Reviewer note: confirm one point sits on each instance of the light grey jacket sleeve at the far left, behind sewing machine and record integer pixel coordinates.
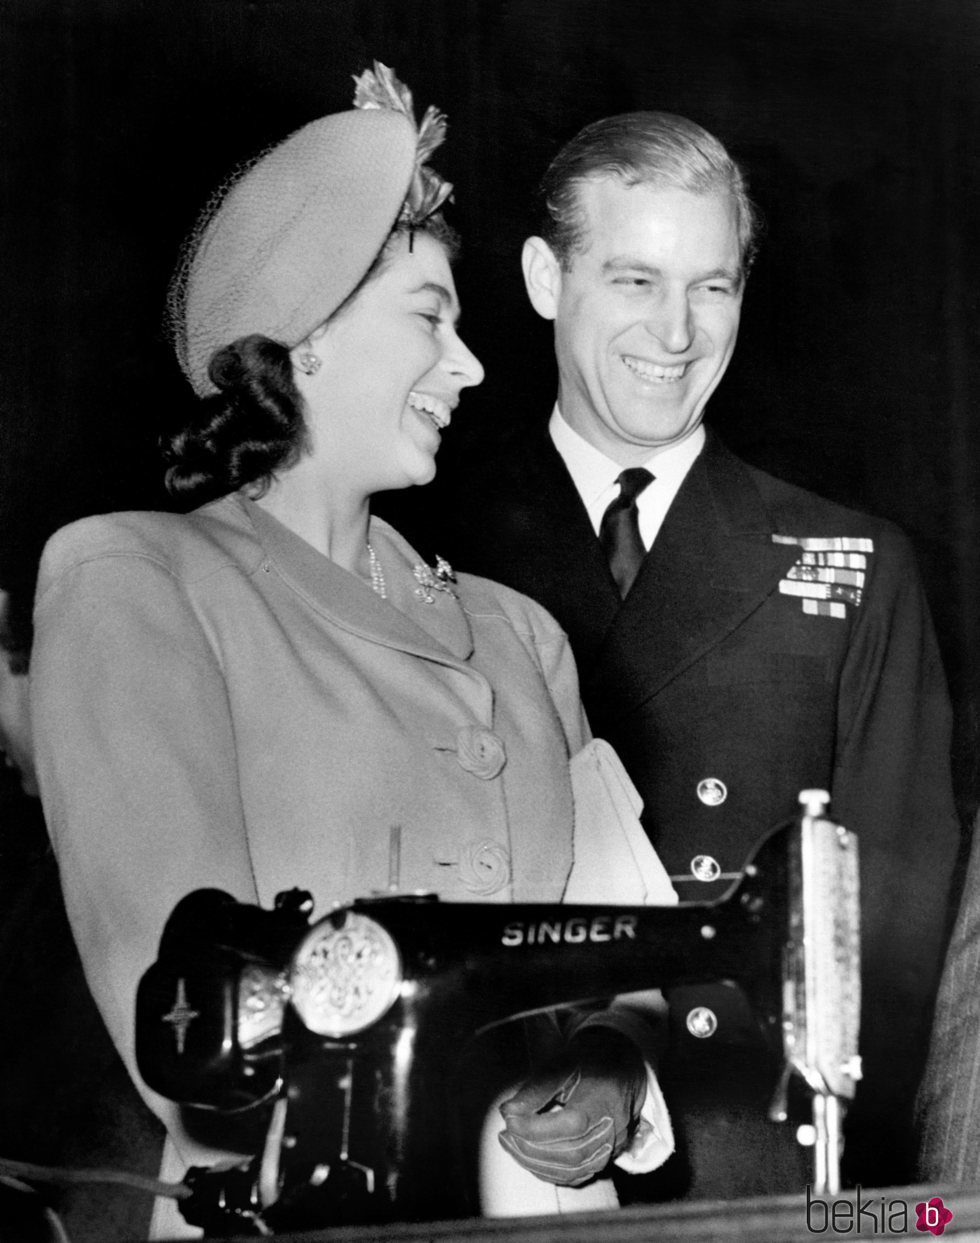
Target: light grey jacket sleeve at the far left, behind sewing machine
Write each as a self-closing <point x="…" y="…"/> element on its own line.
<point x="136" y="764"/>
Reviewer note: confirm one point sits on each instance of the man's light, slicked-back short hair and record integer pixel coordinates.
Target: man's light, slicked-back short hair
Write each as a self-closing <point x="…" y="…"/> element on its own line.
<point x="641" y="149"/>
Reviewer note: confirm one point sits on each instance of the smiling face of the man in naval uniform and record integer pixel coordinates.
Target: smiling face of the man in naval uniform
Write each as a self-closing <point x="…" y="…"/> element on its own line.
<point x="646" y="318"/>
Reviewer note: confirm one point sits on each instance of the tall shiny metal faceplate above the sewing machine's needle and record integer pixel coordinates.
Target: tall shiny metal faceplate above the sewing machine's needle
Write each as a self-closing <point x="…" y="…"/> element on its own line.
<point x="823" y="974"/>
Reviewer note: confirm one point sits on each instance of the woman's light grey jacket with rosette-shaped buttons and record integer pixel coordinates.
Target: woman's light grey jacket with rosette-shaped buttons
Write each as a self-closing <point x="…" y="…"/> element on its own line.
<point x="220" y="705"/>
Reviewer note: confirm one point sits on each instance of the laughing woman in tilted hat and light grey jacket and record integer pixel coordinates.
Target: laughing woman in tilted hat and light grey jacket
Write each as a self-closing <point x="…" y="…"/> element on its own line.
<point x="269" y="690"/>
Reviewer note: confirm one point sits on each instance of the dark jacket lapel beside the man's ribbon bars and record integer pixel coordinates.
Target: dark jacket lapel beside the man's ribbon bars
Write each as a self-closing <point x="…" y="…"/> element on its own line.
<point x="712" y="566"/>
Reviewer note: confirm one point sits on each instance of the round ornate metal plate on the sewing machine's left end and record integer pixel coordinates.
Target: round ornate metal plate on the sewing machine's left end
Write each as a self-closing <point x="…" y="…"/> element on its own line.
<point x="345" y="976"/>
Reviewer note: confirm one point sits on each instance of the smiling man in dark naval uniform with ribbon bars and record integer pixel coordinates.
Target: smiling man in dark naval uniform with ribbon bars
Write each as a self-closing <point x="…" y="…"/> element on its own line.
<point x="738" y="638"/>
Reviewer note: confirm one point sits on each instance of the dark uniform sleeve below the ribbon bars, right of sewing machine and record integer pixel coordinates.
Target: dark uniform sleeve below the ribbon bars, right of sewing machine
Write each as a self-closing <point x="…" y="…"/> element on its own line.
<point x="894" y="787"/>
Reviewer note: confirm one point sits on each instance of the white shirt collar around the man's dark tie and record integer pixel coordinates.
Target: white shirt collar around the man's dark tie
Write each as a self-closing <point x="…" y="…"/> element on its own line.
<point x="595" y="475"/>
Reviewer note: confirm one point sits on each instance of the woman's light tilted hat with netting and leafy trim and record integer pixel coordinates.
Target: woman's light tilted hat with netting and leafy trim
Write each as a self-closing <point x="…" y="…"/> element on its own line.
<point x="282" y="249"/>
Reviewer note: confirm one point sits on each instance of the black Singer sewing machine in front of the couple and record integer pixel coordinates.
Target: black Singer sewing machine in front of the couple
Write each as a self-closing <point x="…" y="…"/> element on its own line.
<point x="341" y="1036"/>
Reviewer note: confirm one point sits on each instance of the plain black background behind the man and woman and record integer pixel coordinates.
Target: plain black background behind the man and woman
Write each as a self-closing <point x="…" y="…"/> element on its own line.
<point x="857" y="369"/>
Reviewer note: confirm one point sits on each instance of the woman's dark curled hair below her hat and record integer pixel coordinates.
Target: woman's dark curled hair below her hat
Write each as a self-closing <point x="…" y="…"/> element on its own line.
<point x="243" y="434"/>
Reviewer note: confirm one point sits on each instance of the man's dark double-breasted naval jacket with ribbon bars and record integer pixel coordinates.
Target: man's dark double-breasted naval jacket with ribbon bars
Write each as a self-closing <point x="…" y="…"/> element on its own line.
<point x="772" y="642"/>
